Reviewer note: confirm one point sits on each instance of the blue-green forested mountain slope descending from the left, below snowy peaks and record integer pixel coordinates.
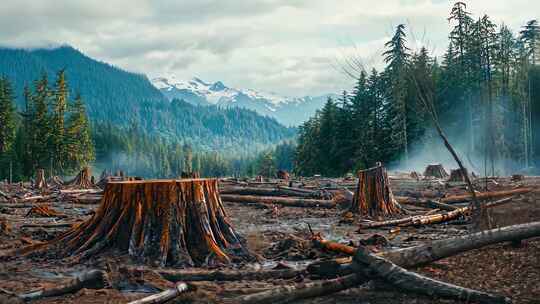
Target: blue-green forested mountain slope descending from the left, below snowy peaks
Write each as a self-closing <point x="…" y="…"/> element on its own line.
<point x="121" y="98"/>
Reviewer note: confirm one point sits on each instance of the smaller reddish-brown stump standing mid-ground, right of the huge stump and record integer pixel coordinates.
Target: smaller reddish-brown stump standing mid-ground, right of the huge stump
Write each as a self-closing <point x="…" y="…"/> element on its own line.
<point x="373" y="196"/>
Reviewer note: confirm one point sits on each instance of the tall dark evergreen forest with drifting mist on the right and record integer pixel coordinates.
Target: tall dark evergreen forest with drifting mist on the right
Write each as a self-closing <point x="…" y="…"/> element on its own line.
<point x="485" y="91"/>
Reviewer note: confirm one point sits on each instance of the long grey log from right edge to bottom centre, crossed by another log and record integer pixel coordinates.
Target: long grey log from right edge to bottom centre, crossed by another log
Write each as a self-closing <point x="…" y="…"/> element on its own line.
<point x="407" y="257"/>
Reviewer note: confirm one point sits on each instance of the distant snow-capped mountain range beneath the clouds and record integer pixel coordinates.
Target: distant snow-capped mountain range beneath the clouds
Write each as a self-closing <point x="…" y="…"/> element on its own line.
<point x="290" y="111"/>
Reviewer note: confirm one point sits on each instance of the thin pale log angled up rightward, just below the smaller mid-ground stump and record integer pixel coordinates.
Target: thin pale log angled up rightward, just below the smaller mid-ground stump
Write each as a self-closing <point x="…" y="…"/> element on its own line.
<point x="432" y="218"/>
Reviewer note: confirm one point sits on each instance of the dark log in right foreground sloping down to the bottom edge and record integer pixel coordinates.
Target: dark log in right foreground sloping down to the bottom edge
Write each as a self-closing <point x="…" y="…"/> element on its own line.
<point x="376" y="267"/>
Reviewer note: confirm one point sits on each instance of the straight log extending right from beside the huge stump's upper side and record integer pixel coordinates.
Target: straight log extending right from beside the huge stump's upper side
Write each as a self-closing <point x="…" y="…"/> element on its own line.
<point x="284" y="201"/>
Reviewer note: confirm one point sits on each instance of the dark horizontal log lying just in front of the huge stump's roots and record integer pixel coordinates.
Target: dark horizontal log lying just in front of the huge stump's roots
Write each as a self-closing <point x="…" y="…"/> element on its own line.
<point x="175" y="275"/>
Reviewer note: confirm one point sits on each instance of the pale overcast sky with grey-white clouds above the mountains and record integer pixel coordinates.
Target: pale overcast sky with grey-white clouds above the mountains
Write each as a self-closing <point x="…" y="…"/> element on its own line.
<point x="291" y="47"/>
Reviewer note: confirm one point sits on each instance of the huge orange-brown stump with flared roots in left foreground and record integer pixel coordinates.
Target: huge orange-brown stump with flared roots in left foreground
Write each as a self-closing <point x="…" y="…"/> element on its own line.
<point x="158" y="222"/>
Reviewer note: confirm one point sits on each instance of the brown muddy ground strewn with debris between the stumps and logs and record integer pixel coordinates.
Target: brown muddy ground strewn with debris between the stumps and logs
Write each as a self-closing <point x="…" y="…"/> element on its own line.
<point x="281" y="235"/>
